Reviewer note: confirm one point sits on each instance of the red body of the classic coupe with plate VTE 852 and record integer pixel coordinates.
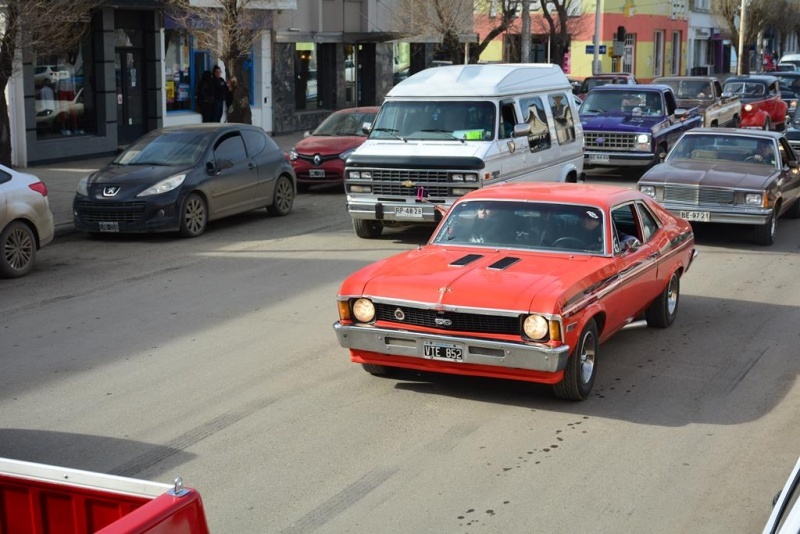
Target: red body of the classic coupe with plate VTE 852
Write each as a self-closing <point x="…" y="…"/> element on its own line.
<point x="446" y="283"/>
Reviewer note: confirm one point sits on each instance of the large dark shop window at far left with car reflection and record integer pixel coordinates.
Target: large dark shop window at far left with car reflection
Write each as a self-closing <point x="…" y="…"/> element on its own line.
<point x="64" y="104"/>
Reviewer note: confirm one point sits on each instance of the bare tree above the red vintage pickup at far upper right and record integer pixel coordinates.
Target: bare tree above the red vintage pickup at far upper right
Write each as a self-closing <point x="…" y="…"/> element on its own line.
<point x="758" y="15"/>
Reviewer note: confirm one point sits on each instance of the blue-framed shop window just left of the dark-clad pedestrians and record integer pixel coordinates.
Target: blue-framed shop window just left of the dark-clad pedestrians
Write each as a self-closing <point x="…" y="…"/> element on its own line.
<point x="178" y="70"/>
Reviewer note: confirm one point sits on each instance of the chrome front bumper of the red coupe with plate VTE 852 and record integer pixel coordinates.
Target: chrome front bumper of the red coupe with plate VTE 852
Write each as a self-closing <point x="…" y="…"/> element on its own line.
<point x="409" y="344"/>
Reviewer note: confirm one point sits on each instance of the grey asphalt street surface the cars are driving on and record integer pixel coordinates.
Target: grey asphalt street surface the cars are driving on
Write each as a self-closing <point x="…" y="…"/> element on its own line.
<point x="214" y="359"/>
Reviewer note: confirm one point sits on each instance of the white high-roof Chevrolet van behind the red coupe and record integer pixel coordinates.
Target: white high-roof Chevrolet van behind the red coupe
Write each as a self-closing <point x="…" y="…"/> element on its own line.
<point x="446" y="131"/>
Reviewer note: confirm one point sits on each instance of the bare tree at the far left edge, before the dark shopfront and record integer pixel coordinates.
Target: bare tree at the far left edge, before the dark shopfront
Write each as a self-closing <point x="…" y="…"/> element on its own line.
<point x="38" y="27"/>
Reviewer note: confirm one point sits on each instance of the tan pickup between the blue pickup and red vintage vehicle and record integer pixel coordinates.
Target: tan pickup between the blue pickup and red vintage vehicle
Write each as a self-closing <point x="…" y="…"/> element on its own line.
<point x="705" y="94"/>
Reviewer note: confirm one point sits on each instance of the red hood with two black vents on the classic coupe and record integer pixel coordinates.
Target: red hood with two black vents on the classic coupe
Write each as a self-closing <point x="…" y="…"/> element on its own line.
<point x="534" y="282"/>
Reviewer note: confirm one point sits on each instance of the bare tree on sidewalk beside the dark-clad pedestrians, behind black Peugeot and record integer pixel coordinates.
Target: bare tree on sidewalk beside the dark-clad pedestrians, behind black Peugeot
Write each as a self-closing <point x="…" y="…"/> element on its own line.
<point x="229" y="29"/>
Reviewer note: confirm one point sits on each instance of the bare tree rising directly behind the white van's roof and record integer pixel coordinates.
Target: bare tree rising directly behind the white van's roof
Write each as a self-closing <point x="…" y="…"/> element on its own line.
<point x="448" y="20"/>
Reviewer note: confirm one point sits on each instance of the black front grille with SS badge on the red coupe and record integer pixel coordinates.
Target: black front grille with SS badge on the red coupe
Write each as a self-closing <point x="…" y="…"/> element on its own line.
<point x="465" y="322"/>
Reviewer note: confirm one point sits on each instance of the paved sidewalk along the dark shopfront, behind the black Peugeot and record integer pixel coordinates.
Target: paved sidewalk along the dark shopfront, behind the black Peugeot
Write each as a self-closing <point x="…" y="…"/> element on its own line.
<point x="62" y="179"/>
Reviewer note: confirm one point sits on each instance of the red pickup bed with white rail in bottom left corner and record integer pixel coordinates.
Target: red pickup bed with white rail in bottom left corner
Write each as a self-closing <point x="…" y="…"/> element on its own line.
<point x="43" y="498"/>
